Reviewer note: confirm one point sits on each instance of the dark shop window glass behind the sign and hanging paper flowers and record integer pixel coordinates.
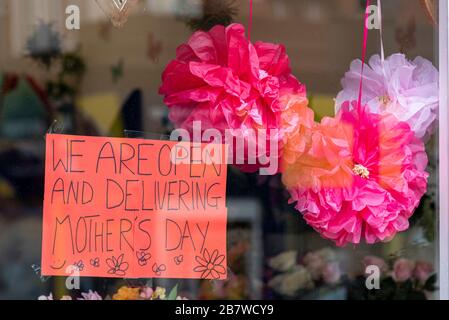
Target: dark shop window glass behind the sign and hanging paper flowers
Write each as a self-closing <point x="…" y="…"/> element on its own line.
<point x="103" y="79"/>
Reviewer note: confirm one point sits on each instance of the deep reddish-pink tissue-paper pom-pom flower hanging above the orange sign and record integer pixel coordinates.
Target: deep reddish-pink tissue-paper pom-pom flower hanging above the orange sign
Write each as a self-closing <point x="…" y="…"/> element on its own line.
<point x="223" y="80"/>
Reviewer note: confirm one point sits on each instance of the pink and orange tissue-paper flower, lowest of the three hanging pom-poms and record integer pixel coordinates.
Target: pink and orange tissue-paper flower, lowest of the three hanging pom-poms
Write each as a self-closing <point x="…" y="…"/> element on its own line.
<point x="360" y="177"/>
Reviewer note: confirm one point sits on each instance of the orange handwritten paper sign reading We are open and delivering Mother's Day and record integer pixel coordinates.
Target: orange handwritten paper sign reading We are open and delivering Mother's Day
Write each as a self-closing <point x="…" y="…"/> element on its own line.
<point x="133" y="208"/>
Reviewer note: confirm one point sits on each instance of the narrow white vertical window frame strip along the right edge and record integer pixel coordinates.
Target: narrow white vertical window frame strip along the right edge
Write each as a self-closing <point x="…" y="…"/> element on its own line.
<point x="444" y="151"/>
